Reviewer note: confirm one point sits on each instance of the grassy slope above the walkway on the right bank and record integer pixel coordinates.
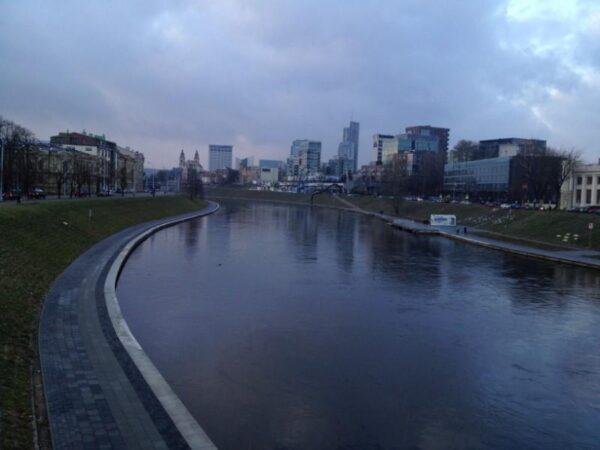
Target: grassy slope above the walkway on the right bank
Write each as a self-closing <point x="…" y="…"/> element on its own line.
<point x="534" y="226"/>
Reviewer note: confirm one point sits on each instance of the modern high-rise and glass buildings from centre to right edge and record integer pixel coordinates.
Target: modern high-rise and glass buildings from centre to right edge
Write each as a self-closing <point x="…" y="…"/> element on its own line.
<point x="419" y="163"/>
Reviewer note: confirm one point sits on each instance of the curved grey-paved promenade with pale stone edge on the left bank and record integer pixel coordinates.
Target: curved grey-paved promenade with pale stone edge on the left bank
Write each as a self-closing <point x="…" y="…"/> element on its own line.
<point x="101" y="389"/>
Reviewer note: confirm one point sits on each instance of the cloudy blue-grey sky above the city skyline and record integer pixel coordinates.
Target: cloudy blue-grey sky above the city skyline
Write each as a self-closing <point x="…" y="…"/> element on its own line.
<point x="161" y="76"/>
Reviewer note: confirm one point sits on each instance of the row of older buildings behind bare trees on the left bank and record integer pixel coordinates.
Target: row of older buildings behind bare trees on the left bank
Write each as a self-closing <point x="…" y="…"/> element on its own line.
<point x="69" y="164"/>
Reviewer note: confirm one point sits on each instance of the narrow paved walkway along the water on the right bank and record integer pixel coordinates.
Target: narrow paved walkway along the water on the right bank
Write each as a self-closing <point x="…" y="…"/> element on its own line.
<point x="579" y="257"/>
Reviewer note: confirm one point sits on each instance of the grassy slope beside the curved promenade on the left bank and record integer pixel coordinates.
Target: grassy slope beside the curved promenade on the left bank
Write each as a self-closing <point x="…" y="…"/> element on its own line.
<point x="37" y="242"/>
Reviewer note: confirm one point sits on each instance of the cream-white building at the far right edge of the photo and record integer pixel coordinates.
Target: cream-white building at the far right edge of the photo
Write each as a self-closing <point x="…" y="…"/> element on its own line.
<point x="582" y="188"/>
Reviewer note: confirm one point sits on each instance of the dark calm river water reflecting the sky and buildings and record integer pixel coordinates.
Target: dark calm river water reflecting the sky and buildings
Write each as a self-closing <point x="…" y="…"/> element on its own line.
<point x="286" y="327"/>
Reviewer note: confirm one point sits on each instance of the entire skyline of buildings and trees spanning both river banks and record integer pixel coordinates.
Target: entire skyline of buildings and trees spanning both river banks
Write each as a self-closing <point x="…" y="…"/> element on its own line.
<point x="416" y="162"/>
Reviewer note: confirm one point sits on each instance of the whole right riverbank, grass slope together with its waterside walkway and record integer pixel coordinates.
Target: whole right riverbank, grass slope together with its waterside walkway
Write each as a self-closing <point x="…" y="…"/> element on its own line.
<point x="527" y="233"/>
